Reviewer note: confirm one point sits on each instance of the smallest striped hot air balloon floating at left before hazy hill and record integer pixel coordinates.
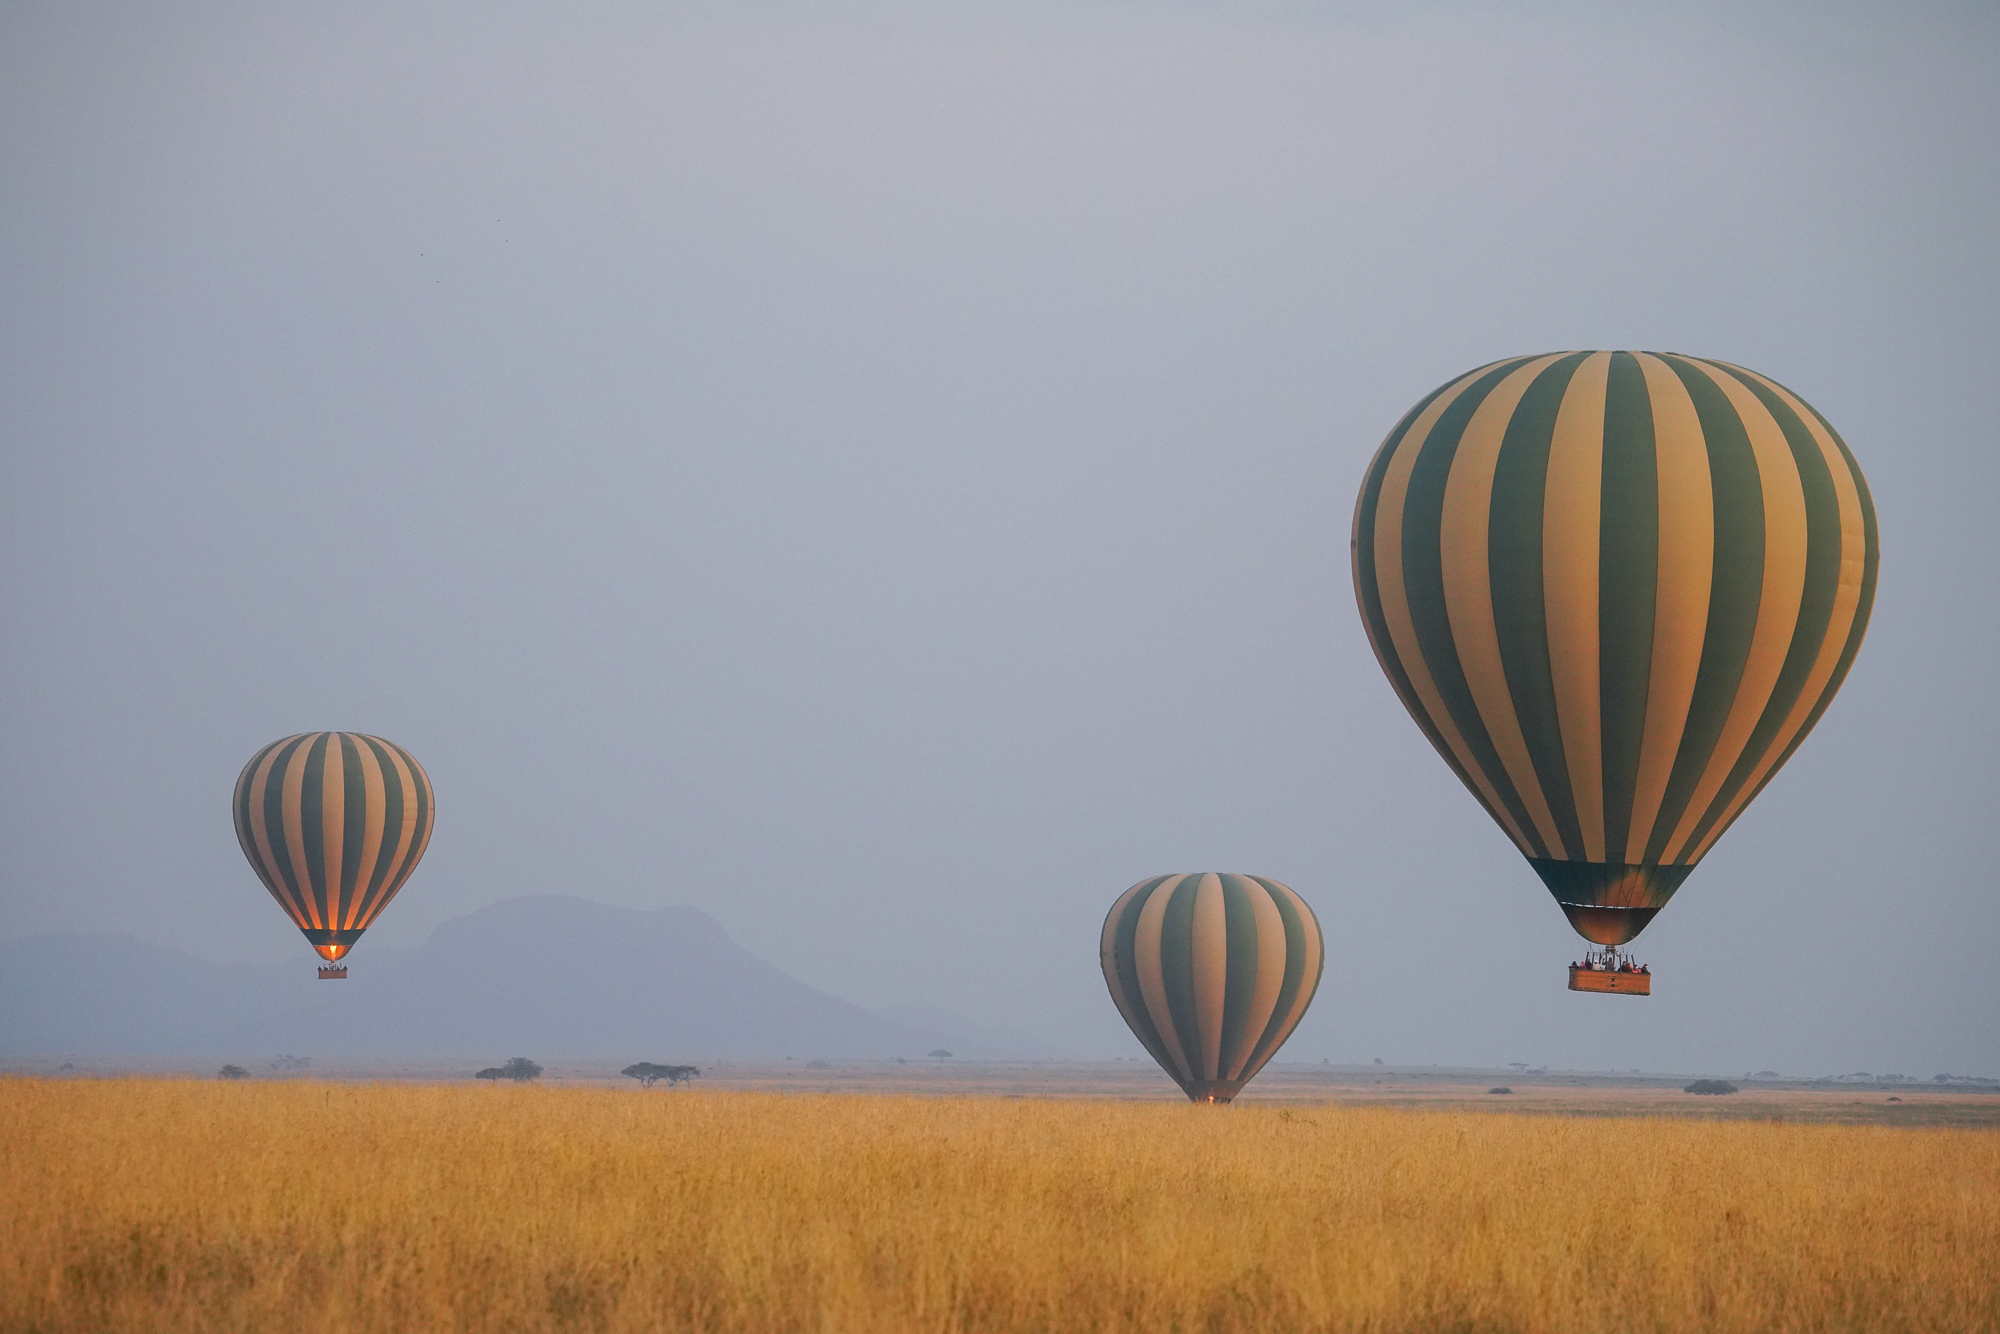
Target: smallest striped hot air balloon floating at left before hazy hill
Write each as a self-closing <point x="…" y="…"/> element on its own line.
<point x="333" y="825"/>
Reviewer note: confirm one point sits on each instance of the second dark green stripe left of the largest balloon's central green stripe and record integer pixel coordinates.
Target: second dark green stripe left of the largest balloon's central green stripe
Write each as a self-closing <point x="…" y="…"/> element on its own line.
<point x="1423" y="579"/>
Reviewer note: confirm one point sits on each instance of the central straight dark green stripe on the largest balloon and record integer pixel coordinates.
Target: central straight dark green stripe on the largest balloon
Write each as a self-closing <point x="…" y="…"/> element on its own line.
<point x="1629" y="577"/>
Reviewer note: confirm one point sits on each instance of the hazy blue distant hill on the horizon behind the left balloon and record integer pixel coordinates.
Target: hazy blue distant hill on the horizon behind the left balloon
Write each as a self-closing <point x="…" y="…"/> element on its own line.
<point x="551" y="975"/>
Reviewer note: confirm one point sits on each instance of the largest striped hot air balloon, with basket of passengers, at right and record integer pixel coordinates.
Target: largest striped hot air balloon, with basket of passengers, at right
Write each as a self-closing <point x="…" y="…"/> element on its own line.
<point x="1615" y="591"/>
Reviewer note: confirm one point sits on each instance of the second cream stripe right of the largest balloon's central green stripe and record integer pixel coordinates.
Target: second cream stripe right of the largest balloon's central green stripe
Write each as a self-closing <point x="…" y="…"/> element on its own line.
<point x="1777" y="611"/>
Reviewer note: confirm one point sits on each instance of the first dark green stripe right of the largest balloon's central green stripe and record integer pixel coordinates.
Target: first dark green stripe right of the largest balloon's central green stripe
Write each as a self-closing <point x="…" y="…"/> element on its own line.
<point x="1735" y="591"/>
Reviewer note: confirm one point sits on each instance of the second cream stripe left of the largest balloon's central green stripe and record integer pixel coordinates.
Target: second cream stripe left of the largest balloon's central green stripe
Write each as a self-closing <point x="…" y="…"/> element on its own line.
<point x="1469" y="589"/>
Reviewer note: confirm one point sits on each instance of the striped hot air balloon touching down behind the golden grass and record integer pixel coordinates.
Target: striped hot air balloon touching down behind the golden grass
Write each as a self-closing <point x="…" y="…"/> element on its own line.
<point x="1213" y="973"/>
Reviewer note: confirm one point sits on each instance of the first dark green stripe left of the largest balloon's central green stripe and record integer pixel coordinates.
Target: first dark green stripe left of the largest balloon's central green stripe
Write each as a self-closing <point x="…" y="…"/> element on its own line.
<point x="1515" y="569"/>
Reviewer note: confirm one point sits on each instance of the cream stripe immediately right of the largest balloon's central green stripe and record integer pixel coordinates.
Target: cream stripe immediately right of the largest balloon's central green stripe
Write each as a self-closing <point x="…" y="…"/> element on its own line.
<point x="1681" y="607"/>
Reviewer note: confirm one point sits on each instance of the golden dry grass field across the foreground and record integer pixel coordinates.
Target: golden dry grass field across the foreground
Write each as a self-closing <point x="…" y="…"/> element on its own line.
<point x="305" y="1207"/>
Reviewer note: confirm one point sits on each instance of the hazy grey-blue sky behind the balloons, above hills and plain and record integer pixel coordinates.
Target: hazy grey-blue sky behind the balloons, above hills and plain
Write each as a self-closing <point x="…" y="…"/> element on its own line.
<point x="883" y="475"/>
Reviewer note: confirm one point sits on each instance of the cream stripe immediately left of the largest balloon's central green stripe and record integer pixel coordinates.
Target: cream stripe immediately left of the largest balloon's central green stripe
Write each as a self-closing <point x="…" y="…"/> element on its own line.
<point x="1573" y="509"/>
